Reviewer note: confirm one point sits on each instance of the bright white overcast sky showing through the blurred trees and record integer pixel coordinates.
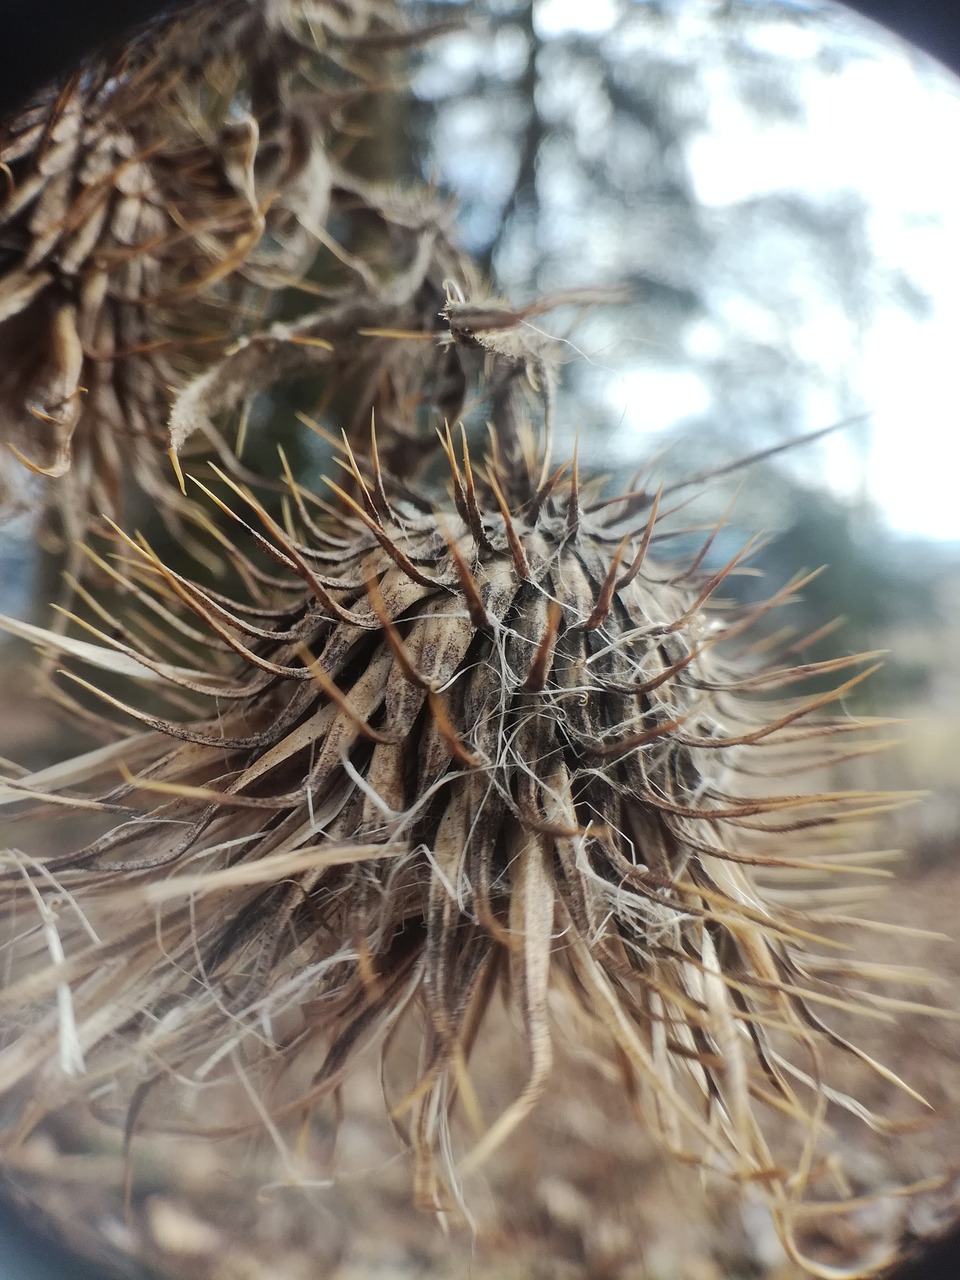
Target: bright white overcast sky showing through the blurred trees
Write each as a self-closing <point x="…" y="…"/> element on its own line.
<point x="892" y="130"/>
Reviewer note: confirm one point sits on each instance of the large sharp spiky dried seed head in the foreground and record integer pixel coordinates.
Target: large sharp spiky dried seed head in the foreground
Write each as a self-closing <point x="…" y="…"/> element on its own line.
<point x="437" y="752"/>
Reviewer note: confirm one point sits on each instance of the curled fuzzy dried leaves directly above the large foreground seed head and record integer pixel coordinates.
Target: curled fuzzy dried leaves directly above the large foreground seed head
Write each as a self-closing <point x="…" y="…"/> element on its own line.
<point x="373" y="341"/>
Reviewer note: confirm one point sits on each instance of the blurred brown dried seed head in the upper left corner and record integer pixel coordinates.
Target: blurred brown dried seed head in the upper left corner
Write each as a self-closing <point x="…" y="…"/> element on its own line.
<point x="149" y="211"/>
